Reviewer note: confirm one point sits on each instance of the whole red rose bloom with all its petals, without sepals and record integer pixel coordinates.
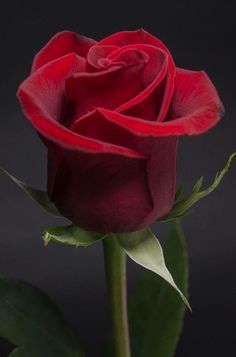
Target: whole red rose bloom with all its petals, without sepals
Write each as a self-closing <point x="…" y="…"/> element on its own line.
<point x="110" y="113"/>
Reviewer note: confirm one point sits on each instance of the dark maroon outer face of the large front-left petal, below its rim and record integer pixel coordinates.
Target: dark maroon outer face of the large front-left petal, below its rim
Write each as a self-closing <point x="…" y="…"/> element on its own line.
<point x="101" y="192"/>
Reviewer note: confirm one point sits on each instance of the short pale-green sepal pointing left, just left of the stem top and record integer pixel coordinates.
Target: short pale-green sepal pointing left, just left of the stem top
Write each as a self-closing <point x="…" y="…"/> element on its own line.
<point x="71" y="235"/>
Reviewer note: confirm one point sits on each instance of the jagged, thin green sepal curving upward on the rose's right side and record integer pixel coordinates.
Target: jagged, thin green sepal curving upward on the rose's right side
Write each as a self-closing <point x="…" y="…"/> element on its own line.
<point x="182" y="207"/>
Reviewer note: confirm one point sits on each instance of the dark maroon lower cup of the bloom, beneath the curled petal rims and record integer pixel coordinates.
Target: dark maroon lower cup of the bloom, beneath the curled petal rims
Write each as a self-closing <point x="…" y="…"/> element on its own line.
<point x="110" y="193"/>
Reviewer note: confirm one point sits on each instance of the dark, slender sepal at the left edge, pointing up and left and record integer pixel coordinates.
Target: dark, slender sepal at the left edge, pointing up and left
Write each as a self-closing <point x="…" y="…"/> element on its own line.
<point x="41" y="197"/>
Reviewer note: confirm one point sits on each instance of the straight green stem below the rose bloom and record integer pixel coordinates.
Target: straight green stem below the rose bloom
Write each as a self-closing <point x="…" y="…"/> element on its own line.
<point x="115" y="265"/>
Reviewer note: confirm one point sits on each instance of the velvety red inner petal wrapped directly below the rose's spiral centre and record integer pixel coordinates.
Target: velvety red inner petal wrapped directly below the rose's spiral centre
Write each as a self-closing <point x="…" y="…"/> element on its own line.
<point x="108" y="89"/>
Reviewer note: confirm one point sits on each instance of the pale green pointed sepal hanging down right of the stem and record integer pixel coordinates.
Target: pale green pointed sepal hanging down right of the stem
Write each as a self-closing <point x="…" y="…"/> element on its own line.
<point x="145" y="249"/>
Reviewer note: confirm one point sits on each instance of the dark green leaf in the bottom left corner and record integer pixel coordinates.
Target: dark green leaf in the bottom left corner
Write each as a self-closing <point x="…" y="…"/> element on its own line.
<point x="30" y="321"/>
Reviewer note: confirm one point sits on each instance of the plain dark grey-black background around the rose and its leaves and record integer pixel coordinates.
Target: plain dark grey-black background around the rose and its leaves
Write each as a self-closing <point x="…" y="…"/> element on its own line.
<point x="200" y="35"/>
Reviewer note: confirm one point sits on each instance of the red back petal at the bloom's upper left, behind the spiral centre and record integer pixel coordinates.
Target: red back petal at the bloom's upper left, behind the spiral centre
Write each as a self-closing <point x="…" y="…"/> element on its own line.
<point x="61" y="44"/>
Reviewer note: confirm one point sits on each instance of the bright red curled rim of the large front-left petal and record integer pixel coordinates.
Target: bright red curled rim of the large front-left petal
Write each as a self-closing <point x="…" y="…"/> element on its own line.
<point x="48" y="127"/>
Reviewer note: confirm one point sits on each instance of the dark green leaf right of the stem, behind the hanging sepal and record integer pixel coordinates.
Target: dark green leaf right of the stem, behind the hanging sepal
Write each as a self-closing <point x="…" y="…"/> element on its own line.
<point x="156" y="316"/>
